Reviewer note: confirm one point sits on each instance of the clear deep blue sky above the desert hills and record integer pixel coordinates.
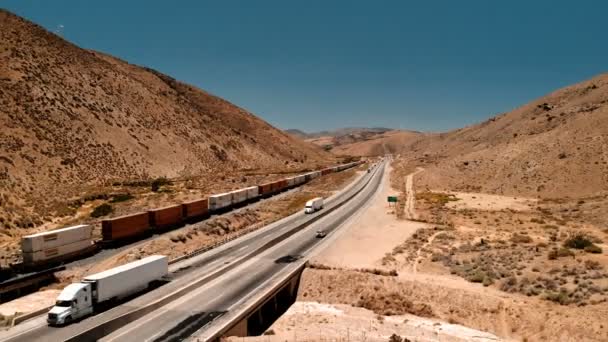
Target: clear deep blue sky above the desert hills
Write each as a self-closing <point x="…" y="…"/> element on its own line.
<point x="313" y="65"/>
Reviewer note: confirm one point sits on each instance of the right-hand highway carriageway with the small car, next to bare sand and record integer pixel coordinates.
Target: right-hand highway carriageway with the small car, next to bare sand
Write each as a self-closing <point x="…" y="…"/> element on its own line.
<point x="198" y="310"/>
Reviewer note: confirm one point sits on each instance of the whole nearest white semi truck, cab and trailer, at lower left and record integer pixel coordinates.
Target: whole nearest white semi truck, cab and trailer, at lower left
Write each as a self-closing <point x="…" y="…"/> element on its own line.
<point x="78" y="300"/>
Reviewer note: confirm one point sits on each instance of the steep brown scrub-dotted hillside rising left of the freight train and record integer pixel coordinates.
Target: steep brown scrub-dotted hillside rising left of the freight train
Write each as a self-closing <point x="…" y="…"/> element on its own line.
<point x="73" y="119"/>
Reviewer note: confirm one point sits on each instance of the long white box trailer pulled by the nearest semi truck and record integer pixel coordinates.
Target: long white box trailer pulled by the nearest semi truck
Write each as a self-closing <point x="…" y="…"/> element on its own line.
<point x="126" y="279"/>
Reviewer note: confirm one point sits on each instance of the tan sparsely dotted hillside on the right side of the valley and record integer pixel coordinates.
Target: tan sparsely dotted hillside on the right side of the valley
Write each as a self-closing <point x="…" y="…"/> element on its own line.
<point x="555" y="146"/>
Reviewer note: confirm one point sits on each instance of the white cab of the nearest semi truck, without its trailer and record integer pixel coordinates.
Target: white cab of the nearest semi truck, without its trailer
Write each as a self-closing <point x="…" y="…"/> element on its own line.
<point x="74" y="302"/>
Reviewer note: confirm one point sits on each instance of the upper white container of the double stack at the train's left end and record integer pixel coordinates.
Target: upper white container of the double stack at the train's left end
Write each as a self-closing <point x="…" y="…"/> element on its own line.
<point x="55" y="238"/>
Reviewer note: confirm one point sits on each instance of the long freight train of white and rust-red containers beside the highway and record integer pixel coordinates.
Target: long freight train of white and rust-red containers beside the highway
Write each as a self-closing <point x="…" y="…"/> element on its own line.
<point x="53" y="247"/>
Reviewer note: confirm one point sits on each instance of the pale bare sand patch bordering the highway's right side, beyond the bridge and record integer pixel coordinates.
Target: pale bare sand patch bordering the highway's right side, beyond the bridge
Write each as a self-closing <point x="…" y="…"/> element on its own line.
<point x="375" y="230"/>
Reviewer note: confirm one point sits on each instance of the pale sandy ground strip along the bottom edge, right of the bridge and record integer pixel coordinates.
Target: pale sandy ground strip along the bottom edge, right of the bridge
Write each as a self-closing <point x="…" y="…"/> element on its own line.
<point x="311" y="321"/>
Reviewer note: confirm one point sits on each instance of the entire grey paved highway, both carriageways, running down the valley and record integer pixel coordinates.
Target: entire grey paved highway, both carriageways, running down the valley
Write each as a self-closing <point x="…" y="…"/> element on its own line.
<point x="225" y="277"/>
